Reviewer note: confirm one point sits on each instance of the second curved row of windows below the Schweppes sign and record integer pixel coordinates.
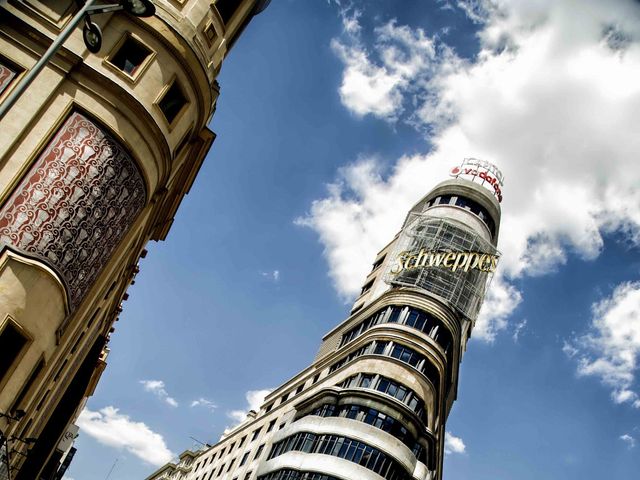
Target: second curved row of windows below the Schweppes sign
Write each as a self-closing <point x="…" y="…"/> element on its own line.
<point x="395" y="350"/>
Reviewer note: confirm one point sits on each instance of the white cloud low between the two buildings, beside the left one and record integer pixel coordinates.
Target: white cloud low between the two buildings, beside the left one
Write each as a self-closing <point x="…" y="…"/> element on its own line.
<point x="116" y="430"/>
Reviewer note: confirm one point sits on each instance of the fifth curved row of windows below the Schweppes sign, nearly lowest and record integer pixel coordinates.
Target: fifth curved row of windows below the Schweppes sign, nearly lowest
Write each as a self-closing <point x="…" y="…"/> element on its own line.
<point x="342" y="447"/>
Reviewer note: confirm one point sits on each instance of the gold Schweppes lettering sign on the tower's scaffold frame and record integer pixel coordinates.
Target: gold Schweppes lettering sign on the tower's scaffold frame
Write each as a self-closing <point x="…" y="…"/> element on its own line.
<point x="455" y="261"/>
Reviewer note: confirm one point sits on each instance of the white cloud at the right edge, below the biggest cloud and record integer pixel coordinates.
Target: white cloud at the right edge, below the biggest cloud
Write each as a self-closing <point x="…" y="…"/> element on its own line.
<point x="612" y="349"/>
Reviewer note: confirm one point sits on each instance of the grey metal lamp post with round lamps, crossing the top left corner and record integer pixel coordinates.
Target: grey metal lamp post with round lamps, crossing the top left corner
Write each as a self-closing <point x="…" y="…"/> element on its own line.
<point x="90" y="33"/>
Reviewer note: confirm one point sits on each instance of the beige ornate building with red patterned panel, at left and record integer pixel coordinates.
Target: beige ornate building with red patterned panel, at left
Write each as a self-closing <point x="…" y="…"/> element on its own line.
<point x="95" y="158"/>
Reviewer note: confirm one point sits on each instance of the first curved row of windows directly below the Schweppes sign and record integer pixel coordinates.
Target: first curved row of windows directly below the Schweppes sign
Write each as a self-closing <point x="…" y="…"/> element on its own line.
<point x="412" y="317"/>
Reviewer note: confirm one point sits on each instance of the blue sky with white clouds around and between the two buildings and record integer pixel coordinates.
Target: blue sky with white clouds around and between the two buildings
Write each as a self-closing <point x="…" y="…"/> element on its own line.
<point x="333" y="119"/>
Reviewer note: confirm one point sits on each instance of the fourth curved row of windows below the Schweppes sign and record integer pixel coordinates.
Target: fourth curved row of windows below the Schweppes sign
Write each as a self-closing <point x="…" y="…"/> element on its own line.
<point x="377" y="419"/>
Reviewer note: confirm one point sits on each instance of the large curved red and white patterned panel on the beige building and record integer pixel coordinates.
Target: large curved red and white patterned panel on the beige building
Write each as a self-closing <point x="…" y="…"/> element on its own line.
<point x="76" y="204"/>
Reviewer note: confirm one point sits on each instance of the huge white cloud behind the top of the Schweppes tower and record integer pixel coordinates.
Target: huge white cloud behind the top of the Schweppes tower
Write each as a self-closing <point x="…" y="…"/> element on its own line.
<point x="548" y="99"/>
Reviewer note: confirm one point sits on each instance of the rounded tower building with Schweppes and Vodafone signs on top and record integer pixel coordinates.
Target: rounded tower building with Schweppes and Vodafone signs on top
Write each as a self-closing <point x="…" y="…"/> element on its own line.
<point x="375" y="401"/>
